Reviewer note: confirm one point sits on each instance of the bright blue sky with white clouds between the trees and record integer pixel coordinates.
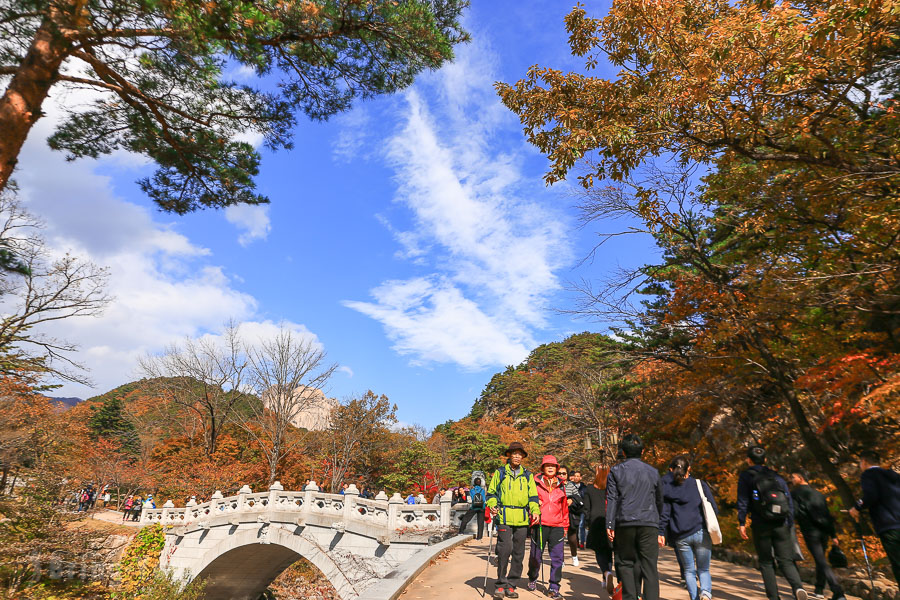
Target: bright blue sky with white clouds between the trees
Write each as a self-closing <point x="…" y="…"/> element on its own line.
<point x="413" y="236"/>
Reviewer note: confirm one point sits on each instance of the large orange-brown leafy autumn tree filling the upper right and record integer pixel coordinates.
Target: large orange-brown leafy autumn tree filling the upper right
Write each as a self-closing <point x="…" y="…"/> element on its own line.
<point x="776" y="215"/>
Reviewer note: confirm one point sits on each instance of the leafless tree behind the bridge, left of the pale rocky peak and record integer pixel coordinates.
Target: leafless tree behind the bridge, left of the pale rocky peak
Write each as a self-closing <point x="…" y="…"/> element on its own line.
<point x="204" y="376"/>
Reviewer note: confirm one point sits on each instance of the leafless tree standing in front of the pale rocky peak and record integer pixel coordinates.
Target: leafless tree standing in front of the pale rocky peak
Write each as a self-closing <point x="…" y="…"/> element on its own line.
<point x="286" y="374"/>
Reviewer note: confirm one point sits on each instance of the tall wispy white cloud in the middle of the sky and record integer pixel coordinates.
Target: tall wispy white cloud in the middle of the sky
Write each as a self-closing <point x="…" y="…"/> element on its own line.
<point x="493" y="254"/>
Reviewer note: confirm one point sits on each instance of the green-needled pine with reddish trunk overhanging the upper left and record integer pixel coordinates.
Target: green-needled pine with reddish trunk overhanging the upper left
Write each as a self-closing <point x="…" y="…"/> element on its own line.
<point x="166" y="83"/>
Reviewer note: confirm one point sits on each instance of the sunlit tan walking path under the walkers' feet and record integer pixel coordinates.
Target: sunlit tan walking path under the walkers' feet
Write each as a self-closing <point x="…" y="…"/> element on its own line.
<point x="460" y="576"/>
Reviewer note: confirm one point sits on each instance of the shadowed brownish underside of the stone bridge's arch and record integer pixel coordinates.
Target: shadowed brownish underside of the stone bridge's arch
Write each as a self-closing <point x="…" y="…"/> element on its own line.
<point x="244" y="573"/>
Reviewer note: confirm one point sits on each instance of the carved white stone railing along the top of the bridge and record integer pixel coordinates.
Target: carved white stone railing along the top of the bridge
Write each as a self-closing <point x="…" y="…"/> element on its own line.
<point x="383" y="515"/>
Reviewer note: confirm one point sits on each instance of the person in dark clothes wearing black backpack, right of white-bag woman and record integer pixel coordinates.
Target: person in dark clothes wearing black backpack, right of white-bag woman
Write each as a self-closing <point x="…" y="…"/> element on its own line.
<point x="765" y="496"/>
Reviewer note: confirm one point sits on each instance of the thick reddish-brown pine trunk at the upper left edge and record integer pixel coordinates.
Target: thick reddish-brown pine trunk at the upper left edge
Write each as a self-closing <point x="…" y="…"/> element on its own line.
<point x="20" y="106"/>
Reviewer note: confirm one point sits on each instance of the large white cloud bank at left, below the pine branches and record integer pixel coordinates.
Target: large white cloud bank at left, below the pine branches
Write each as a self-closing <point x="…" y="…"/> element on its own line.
<point x="164" y="286"/>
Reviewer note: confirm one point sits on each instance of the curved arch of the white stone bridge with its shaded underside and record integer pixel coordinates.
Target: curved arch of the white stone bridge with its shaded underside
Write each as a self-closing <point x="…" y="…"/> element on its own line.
<point x="243" y="565"/>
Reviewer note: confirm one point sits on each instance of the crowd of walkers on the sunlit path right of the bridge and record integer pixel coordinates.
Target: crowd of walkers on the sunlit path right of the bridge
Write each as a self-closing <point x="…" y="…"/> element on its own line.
<point x="630" y="511"/>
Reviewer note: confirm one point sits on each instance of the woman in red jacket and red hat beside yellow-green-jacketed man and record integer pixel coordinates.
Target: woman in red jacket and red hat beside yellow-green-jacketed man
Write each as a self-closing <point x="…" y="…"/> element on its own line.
<point x="551" y="531"/>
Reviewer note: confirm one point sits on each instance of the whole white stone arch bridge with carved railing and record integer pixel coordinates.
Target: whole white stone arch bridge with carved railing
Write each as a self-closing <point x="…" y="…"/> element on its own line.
<point x="241" y="543"/>
